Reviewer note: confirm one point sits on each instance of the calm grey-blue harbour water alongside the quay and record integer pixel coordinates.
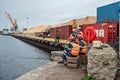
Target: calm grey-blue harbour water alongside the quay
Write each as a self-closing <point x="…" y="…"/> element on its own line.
<point x="18" y="57"/>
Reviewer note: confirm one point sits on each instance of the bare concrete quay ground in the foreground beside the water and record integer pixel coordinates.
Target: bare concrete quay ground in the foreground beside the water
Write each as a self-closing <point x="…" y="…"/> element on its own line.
<point x="54" y="71"/>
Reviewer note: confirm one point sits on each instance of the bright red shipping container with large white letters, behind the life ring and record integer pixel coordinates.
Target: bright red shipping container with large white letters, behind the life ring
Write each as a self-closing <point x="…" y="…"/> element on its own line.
<point x="105" y="32"/>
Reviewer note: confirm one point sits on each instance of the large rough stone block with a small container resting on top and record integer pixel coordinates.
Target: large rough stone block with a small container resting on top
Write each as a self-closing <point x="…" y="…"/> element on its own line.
<point x="102" y="63"/>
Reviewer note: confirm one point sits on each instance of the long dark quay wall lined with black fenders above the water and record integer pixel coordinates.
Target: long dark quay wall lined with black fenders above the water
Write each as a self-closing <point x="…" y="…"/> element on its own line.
<point x="41" y="43"/>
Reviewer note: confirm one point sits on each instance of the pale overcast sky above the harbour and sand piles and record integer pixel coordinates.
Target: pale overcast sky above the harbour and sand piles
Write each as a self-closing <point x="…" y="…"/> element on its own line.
<point x="30" y="13"/>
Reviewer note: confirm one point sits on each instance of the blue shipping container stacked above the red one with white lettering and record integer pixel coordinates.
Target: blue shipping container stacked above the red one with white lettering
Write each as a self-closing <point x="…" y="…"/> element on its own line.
<point x="109" y="13"/>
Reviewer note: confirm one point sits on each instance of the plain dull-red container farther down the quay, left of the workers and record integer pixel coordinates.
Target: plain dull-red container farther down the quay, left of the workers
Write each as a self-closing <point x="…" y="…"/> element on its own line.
<point x="63" y="31"/>
